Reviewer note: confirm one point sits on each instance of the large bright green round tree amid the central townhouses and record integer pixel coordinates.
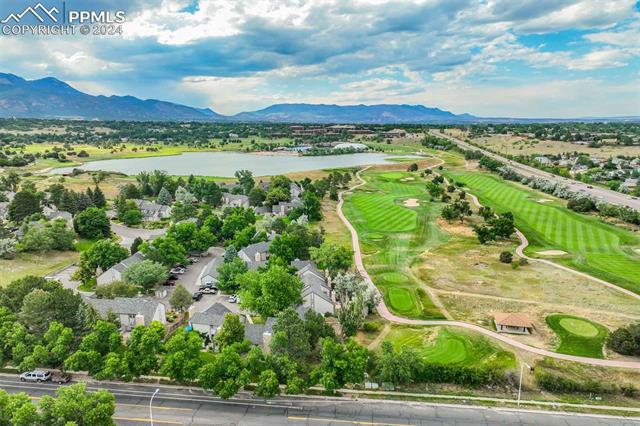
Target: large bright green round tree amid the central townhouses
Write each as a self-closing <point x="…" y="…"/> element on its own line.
<point x="269" y="292"/>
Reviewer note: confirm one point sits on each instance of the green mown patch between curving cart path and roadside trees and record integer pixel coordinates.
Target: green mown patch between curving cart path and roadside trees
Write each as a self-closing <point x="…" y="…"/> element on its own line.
<point x="448" y="346"/>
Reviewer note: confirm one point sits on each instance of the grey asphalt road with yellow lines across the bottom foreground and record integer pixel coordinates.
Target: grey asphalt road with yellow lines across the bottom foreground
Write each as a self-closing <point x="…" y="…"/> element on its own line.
<point x="175" y="406"/>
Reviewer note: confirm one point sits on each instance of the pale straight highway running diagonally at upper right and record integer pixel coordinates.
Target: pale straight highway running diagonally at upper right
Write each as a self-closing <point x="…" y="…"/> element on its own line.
<point x="595" y="192"/>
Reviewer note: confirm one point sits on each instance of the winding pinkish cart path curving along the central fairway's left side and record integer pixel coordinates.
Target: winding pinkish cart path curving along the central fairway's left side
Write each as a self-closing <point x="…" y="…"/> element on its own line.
<point x="386" y="314"/>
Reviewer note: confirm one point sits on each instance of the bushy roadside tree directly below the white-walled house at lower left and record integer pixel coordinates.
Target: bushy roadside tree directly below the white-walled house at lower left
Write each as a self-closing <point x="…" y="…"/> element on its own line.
<point x="143" y="348"/>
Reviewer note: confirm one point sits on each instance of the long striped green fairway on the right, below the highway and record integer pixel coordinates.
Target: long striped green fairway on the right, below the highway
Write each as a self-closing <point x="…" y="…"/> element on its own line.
<point x="600" y="249"/>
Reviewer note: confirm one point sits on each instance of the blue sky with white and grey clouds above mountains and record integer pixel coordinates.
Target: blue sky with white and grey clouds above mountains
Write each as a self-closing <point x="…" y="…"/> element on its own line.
<point x="525" y="58"/>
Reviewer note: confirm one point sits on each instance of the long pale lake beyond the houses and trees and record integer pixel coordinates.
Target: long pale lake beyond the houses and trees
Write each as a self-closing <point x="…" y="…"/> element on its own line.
<point x="224" y="164"/>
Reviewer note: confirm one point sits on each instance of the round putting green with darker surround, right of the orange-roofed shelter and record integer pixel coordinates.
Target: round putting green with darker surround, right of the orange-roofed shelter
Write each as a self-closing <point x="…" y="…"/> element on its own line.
<point x="578" y="336"/>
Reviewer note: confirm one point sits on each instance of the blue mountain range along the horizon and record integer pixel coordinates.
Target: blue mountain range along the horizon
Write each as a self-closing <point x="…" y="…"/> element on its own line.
<point x="51" y="98"/>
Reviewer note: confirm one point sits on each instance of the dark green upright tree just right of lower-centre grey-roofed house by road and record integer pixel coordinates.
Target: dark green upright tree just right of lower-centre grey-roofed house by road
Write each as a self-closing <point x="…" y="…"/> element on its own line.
<point x="290" y="336"/>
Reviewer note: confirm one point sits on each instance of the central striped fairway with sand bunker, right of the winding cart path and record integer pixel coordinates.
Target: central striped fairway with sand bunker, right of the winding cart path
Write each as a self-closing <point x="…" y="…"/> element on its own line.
<point x="392" y="235"/>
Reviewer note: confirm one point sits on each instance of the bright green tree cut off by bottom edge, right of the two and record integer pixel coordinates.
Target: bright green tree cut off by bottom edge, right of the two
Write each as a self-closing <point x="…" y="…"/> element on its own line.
<point x="74" y="405"/>
